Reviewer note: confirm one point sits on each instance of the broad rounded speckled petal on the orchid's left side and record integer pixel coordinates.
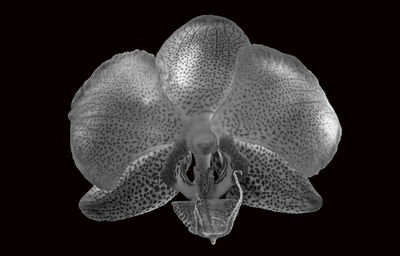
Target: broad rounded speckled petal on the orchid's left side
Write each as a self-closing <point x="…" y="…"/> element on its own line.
<point x="120" y="113"/>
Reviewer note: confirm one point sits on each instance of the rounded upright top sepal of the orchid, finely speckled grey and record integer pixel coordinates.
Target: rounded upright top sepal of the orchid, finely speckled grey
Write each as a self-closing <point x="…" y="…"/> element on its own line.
<point x="198" y="62"/>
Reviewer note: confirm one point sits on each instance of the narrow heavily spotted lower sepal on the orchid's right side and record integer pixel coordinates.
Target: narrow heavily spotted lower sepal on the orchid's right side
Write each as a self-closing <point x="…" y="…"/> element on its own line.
<point x="271" y="183"/>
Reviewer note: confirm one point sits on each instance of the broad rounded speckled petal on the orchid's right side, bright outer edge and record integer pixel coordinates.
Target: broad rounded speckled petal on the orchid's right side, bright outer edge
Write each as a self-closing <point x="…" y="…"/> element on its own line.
<point x="276" y="102"/>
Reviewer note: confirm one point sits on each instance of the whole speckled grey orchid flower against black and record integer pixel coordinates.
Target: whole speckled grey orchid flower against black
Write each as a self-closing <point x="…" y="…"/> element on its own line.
<point x="254" y="120"/>
